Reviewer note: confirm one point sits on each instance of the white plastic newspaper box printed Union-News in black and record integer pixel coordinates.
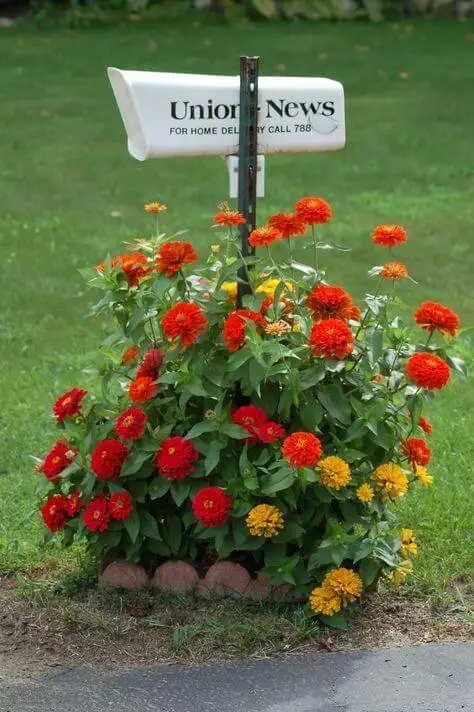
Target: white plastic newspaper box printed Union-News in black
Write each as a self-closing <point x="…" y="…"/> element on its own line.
<point x="167" y="114"/>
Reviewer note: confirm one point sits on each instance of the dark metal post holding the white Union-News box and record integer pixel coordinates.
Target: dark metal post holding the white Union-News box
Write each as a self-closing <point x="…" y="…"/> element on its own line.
<point x="247" y="161"/>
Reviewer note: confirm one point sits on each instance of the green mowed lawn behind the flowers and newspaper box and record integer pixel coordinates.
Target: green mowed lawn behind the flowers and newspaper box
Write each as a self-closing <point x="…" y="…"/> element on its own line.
<point x="70" y="194"/>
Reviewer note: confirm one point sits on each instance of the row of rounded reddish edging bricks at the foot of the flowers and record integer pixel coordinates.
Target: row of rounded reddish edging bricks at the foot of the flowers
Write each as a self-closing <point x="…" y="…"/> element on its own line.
<point x="223" y="579"/>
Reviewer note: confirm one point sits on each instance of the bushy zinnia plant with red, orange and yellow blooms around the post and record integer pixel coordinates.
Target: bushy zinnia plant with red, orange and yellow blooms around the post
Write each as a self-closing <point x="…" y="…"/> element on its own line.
<point x="278" y="430"/>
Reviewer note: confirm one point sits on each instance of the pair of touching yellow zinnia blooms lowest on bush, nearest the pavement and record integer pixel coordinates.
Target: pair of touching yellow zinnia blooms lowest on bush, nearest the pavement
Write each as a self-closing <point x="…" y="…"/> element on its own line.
<point x="339" y="588"/>
